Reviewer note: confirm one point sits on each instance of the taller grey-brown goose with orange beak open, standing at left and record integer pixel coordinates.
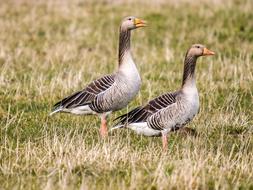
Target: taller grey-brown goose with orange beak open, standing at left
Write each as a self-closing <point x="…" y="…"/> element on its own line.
<point x="111" y="92"/>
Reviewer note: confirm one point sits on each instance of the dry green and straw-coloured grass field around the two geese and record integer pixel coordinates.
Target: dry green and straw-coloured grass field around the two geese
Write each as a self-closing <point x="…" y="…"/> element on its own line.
<point x="50" y="49"/>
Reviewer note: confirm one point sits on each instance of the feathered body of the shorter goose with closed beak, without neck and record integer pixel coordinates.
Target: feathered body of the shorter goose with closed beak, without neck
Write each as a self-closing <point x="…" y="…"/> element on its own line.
<point x="160" y="116"/>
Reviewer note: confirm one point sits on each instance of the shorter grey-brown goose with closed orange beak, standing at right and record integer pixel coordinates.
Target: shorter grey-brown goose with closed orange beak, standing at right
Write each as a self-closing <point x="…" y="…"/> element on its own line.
<point x="170" y="111"/>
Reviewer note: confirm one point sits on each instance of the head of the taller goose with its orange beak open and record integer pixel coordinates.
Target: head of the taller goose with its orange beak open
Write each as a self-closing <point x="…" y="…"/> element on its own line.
<point x="131" y="22"/>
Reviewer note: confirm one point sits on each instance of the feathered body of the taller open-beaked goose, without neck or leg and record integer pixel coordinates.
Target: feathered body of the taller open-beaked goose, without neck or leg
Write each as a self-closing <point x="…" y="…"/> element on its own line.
<point x="107" y="94"/>
